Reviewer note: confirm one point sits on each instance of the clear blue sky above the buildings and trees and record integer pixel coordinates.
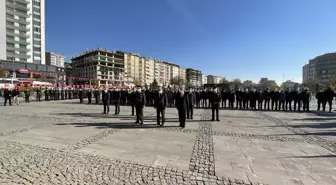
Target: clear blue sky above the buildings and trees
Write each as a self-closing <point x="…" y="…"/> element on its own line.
<point x="246" y="39"/>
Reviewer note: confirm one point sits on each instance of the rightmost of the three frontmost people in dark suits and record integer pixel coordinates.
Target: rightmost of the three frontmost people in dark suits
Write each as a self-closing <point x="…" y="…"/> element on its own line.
<point x="181" y="105"/>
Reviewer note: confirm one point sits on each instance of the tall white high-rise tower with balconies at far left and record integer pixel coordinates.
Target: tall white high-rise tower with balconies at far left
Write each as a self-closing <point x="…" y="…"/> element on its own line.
<point x="22" y="30"/>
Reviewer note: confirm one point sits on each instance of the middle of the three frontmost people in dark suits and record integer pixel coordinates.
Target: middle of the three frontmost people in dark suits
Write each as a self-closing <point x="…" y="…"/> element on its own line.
<point x="160" y="104"/>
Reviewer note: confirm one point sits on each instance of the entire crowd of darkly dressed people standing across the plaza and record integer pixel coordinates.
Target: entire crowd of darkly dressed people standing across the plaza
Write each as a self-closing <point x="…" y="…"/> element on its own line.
<point x="184" y="100"/>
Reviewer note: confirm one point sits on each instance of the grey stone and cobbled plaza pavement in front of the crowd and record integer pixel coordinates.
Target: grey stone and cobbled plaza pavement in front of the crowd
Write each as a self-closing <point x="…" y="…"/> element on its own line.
<point x="65" y="142"/>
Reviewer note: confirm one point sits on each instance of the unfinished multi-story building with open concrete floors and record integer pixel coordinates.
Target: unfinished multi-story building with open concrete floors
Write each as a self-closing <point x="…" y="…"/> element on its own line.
<point x="107" y="67"/>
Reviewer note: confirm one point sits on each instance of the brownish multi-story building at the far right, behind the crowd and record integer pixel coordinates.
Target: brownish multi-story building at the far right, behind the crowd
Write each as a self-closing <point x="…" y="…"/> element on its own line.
<point x="321" y="68"/>
